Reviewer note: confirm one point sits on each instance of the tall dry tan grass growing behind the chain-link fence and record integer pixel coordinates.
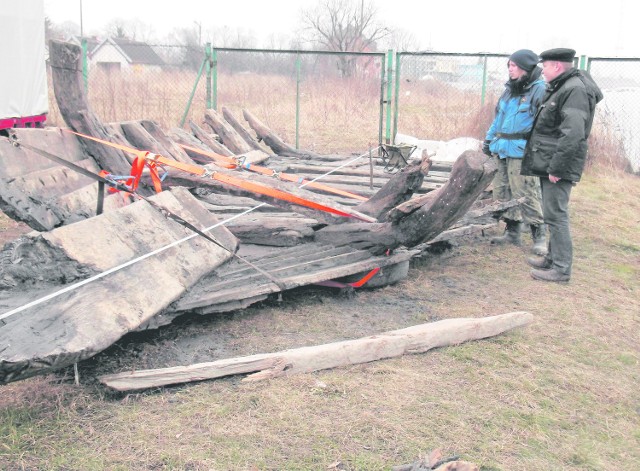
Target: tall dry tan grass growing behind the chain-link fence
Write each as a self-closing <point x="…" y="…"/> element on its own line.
<point x="337" y="115"/>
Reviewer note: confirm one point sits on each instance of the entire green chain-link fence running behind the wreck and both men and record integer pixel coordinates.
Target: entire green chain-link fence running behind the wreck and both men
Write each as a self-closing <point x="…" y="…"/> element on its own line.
<point x="334" y="102"/>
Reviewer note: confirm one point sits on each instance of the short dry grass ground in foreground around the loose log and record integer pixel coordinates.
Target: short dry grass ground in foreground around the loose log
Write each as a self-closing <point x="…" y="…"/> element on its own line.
<point x="561" y="394"/>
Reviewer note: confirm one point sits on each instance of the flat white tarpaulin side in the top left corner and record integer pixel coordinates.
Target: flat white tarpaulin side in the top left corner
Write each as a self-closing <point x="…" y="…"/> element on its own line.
<point x="23" y="79"/>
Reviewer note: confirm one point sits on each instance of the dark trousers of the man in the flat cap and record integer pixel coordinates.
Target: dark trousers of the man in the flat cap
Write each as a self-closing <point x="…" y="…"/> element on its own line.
<point x="555" y="206"/>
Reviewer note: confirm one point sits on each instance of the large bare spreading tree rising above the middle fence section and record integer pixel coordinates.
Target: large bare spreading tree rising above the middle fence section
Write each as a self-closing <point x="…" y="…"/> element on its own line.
<point x="343" y="26"/>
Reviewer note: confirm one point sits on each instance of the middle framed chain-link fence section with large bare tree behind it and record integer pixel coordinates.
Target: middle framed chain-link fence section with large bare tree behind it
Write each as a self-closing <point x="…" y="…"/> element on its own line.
<point x="321" y="101"/>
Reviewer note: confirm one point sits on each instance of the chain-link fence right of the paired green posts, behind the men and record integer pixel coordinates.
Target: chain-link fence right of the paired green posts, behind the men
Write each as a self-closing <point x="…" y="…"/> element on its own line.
<point x="442" y="96"/>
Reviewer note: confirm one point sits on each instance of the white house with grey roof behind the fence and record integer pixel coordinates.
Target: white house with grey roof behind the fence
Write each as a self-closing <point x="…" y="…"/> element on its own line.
<point x="117" y="54"/>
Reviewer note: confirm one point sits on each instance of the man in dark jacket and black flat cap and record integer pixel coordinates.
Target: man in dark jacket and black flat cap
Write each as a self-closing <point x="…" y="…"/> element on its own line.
<point x="557" y="152"/>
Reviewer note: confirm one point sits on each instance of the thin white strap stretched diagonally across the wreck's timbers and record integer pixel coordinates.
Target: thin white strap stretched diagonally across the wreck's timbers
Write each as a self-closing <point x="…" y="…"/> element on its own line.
<point x="145" y="256"/>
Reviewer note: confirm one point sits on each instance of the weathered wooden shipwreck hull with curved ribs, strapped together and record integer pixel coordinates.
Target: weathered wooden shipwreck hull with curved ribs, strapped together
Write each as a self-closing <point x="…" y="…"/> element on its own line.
<point x="83" y="280"/>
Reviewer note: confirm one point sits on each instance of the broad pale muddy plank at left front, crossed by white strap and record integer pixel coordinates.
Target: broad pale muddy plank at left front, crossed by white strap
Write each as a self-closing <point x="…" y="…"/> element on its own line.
<point x="81" y="322"/>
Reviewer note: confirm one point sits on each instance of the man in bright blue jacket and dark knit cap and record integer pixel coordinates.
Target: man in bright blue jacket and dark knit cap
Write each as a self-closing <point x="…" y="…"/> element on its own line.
<point x="506" y="140"/>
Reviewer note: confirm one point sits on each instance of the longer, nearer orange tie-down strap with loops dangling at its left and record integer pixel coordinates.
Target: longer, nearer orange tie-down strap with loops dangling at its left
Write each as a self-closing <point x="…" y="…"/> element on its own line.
<point x="153" y="161"/>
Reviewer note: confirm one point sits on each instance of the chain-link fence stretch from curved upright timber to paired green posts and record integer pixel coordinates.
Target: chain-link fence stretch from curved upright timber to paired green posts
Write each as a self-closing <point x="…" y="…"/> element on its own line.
<point x="321" y="101"/>
